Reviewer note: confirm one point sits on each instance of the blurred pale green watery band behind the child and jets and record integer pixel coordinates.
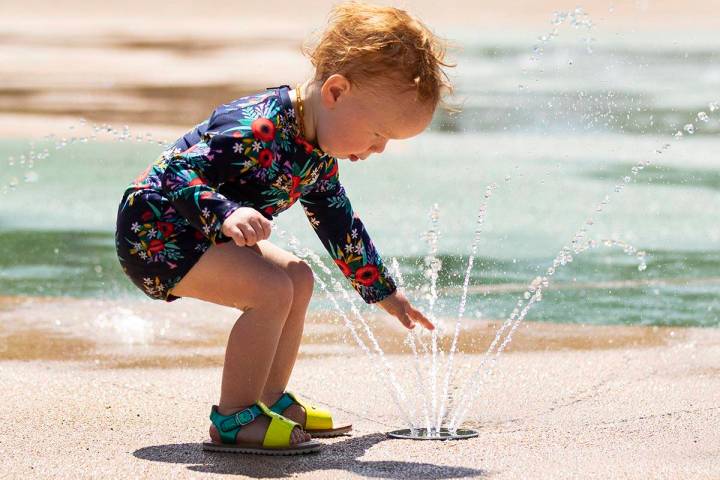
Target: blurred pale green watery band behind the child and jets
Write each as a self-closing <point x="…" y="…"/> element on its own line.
<point x="555" y="149"/>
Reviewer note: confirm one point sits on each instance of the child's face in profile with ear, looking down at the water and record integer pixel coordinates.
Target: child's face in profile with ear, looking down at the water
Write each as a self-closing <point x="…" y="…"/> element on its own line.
<point x="354" y="123"/>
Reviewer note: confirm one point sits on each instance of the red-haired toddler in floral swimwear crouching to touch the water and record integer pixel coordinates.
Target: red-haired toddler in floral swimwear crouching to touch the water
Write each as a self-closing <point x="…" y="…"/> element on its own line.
<point x="197" y="224"/>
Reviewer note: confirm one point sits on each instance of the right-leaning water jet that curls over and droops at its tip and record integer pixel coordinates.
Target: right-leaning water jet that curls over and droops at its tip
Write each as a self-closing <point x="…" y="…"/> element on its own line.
<point x="533" y="295"/>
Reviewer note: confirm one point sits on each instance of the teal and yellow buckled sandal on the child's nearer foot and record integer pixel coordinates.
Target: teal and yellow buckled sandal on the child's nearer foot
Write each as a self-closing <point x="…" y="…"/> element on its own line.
<point x="277" y="436"/>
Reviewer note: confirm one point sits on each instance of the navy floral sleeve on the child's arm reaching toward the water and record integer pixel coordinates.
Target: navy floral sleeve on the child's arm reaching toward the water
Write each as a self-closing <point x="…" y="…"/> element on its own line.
<point x="344" y="236"/>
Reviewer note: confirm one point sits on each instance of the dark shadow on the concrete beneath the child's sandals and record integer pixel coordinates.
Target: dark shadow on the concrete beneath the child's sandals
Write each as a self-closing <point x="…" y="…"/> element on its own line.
<point x="338" y="456"/>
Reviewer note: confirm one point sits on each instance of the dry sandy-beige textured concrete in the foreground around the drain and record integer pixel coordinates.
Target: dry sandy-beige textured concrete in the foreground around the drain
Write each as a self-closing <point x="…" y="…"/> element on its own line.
<point x="633" y="412"/>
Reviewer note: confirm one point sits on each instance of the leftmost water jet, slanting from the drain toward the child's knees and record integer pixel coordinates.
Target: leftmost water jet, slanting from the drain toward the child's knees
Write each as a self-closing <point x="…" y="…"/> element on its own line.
<point x="394" y="388"/>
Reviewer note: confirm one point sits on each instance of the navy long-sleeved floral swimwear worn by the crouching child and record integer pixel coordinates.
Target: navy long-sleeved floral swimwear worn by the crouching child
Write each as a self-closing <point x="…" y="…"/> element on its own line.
<point x="247" y="154"/>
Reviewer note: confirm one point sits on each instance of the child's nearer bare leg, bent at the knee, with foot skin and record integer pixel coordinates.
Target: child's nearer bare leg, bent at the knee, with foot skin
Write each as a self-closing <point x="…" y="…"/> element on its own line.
<point x="239" y="277"/>
